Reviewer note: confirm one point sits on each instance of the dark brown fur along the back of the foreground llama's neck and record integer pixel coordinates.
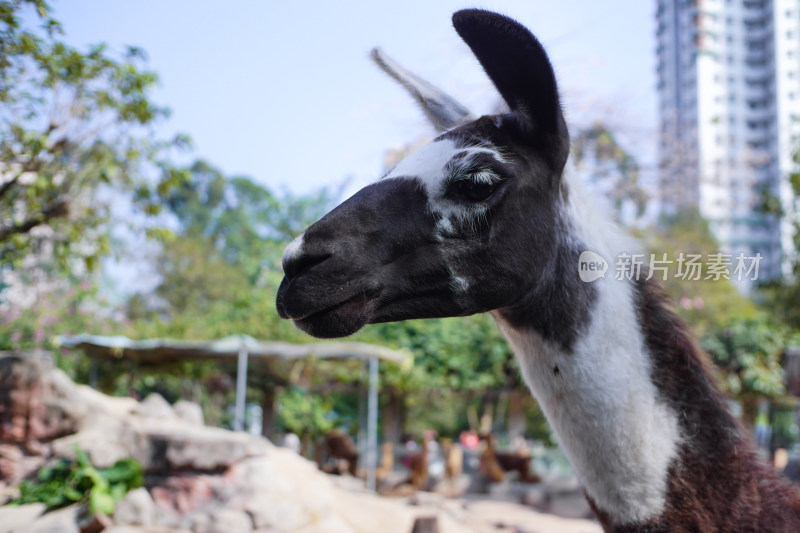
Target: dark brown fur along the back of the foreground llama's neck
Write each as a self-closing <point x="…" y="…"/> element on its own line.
<point x="717" y="483"/>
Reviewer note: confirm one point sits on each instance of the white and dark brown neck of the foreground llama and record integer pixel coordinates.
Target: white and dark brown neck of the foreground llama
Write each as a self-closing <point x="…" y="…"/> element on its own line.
<point x="635" y="409"/>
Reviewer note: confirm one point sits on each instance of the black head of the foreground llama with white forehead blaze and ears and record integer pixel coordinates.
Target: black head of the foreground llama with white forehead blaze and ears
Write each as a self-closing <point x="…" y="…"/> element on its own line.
<point x="471" y="222"/>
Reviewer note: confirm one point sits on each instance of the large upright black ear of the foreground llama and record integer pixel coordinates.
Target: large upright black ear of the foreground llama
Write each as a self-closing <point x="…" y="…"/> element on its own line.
<point x="517" y="65"/>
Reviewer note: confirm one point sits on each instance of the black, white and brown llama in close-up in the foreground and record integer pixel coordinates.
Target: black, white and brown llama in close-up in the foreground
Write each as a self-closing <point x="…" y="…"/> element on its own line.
<point x="484" y="219"/>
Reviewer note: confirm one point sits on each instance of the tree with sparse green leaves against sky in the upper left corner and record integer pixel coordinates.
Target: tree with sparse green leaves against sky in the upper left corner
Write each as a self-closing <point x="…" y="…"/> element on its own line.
<point x="72" y="125"/>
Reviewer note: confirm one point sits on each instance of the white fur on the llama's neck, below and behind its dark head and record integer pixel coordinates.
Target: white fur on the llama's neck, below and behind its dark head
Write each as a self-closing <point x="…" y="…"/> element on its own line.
<point x="619" y="436"/>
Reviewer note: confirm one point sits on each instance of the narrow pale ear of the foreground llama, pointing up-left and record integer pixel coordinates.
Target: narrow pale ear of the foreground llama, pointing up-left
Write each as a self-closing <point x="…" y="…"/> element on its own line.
<point x="443" y="111"/>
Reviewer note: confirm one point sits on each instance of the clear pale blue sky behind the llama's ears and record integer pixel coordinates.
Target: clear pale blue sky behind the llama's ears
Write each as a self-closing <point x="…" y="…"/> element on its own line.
<point x="284" y="91"/>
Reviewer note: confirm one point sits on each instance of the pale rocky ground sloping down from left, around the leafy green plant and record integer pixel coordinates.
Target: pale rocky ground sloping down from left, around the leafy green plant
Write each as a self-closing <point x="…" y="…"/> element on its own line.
<point x="201" y="479"/>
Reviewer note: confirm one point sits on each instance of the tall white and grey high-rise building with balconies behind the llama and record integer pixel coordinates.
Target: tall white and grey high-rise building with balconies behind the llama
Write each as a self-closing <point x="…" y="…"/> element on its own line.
<point x="729" y="91"/>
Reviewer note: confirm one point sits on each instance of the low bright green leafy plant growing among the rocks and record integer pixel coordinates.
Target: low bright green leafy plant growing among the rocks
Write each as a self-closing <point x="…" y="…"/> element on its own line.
<point x="72" y="481"/>
